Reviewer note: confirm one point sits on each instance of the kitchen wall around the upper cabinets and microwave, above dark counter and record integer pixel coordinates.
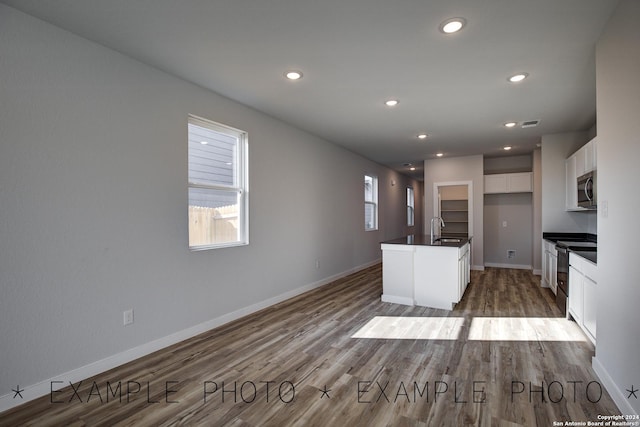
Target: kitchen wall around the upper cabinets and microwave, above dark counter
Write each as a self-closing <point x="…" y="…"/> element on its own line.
<point x="555" y="149"/>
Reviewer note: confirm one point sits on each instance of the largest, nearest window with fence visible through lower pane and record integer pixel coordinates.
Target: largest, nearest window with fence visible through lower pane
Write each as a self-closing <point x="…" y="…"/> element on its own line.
<point x="218" y="182"/>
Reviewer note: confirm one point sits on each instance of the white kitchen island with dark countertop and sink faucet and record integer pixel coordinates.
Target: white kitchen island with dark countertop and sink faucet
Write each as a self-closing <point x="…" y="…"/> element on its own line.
<point x="419" y="270"/>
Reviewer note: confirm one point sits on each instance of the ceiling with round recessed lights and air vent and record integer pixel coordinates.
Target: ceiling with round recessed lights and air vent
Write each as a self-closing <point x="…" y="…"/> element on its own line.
<point x="356" y="54"/>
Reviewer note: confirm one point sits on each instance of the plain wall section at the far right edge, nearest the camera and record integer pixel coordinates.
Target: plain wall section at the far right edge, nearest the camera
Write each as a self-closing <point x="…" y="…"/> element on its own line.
<point x="618" y="104"/>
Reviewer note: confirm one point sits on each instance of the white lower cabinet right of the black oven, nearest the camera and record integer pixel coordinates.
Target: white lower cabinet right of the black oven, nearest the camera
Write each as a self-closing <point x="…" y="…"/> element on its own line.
<point x="583" y="302"/>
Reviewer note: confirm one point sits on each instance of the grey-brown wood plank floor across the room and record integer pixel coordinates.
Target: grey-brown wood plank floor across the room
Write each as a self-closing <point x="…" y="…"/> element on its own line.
<point x="338" y="356"/>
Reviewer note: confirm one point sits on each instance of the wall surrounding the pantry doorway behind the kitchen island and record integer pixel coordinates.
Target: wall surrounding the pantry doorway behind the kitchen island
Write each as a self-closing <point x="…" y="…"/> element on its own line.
<point x="469" y="168"/>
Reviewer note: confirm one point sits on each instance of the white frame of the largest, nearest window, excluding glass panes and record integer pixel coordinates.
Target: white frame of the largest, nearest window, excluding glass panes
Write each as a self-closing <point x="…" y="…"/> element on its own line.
<point x="240" y="185"/>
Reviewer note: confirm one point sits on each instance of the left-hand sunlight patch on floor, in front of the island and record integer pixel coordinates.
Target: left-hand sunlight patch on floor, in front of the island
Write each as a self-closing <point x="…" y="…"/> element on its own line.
<point x="411" y="328"/>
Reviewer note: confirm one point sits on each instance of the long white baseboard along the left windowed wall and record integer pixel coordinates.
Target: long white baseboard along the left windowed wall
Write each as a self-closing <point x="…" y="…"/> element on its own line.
<point x="43" y="388"/>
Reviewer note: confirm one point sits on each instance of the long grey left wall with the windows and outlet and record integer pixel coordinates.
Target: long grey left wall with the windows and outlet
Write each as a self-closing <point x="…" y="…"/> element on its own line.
<point x="93" y="207"/>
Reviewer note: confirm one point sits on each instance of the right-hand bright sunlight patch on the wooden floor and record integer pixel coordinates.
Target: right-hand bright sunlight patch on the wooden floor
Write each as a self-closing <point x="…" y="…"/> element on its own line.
<point x="524" y="329"/>
